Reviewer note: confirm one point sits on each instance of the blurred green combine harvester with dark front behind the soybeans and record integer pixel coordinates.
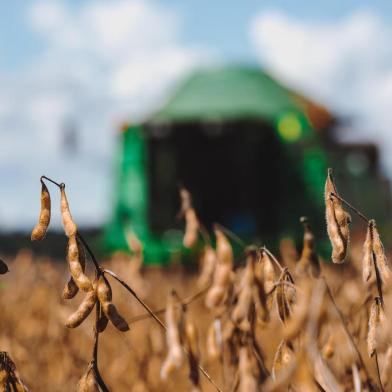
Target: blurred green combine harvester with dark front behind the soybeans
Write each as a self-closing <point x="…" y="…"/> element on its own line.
<point x="252" y="152"/>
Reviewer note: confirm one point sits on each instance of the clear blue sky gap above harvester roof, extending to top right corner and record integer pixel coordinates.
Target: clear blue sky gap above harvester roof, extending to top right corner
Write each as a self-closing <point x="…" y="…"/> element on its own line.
<point x="224" y="24"/>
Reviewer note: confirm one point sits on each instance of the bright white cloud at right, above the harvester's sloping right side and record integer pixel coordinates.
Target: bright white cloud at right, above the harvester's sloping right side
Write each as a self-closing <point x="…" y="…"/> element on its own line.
<point x="346" y="64"/>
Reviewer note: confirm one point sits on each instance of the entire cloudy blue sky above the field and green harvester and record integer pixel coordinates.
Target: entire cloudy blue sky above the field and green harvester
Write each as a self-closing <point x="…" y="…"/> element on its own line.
<point x="98" y="63"/>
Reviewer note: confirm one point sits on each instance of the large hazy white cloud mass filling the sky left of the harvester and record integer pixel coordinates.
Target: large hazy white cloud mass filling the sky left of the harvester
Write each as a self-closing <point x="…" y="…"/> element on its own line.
<point x="101" y="64"/>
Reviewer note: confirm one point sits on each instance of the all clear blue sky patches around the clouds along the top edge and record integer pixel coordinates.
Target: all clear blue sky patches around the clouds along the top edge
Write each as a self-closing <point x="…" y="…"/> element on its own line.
<point x="219" y="24"/>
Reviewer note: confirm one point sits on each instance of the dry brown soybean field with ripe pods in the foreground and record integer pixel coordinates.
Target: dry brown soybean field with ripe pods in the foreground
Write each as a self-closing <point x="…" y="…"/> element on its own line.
<point x="263" y="322"/>
